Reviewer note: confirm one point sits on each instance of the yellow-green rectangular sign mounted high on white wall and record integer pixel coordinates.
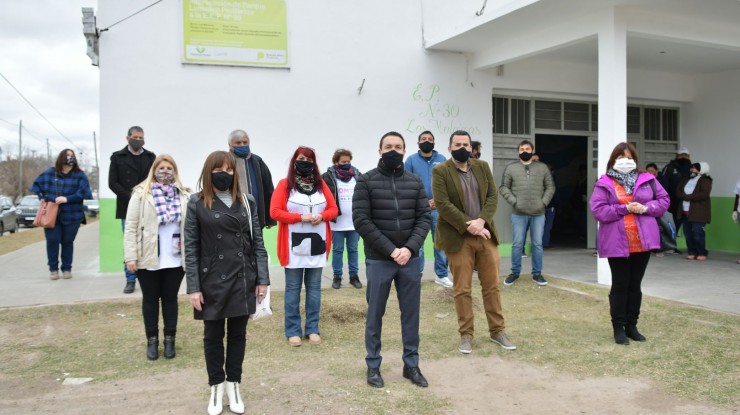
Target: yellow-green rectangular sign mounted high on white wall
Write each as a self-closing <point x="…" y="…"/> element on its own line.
<point x="235" y="32"/>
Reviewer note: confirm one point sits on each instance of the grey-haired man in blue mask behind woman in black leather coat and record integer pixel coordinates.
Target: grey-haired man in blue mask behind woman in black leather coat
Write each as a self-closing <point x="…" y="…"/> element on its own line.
<point x="254" y="175"/>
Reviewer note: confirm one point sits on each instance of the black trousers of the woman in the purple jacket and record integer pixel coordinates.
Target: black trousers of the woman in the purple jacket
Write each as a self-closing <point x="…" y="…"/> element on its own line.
<point x="625" y="296"/>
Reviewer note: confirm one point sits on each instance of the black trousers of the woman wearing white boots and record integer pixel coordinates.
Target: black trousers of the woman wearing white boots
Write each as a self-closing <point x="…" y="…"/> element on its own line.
<point x="213" y="348"/>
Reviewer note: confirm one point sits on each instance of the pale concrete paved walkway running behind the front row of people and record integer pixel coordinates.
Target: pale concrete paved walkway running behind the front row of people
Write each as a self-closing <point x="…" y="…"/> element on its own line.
<point x="24" y="281"/>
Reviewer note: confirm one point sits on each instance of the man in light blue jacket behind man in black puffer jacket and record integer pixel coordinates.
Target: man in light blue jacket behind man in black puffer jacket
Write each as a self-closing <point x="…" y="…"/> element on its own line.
<point x="421" y="164"/>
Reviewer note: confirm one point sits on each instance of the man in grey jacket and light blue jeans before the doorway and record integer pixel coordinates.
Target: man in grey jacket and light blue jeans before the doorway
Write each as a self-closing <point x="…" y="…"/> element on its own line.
<point x="528" y="188"/>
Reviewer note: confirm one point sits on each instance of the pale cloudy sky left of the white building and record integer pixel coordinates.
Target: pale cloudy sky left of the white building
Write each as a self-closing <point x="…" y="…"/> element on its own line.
<point x="44" y="55"/>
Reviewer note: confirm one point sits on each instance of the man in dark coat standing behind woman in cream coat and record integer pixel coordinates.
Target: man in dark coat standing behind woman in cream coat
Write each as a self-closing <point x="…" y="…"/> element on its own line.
<point x="129" y="167"/>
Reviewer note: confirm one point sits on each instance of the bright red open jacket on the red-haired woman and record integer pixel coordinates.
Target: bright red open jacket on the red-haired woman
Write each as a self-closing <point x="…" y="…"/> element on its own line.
<point x="279" y="212"/>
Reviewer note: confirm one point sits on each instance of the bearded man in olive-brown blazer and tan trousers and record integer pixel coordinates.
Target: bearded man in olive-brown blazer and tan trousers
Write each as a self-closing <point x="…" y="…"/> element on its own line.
<point x="467" y="200"/>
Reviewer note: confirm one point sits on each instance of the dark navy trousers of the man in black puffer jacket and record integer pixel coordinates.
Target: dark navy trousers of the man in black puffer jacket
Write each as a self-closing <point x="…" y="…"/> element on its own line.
<point x="380" y="275"/>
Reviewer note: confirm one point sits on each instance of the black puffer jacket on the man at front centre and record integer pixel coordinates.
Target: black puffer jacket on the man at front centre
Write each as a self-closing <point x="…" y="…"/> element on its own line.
<point x="390" y="210"/>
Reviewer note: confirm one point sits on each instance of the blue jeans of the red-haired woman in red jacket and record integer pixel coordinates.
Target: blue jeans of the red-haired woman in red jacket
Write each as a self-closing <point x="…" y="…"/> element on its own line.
<point x="294" y="278"/>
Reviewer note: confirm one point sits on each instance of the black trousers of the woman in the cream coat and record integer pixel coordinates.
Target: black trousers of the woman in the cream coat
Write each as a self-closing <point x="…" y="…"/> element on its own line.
<point x="160" y="286"/>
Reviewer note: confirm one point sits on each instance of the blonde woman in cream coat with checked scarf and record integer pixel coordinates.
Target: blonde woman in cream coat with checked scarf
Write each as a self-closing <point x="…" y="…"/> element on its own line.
<point x="153" y="249"/>
